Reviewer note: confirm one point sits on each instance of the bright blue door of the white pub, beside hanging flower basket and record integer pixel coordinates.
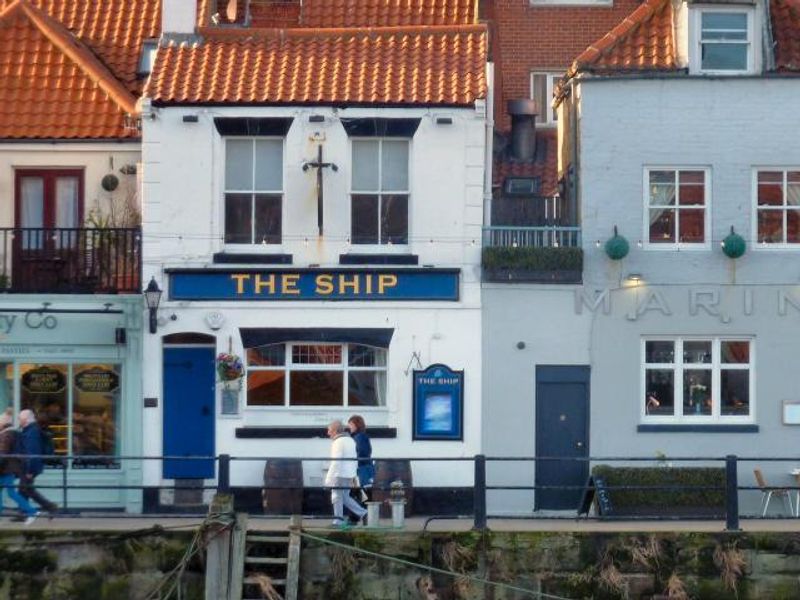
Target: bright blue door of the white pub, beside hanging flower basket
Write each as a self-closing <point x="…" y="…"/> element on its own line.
<point x="189" y="411"/>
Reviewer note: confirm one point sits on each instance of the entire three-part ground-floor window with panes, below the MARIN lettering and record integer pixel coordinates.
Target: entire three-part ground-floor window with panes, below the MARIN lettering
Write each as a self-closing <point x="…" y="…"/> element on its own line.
<point x="697" y="380"/>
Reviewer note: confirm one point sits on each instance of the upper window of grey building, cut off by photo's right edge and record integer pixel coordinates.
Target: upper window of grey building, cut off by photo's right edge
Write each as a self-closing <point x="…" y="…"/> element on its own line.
<point x="778" y="206"/>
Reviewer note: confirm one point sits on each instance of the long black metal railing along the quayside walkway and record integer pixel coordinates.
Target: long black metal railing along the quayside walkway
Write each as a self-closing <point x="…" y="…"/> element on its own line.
<point x="596" y="496"/>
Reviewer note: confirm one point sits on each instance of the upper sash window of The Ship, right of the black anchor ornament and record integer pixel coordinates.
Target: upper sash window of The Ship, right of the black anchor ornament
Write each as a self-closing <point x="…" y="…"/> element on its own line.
<point x="380" y="191"/>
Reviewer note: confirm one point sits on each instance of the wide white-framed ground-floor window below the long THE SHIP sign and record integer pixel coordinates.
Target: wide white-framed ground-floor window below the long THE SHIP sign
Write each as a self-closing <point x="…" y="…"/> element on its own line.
<point x="313" y="374"/>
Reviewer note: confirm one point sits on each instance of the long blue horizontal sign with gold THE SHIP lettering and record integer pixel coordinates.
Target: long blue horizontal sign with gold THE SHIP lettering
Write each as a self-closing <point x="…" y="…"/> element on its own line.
<point x="315" y="284"/>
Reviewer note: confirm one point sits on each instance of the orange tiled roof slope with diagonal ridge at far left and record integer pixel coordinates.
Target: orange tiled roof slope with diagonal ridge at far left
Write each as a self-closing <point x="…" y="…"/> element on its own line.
<point x="51" y="84"/>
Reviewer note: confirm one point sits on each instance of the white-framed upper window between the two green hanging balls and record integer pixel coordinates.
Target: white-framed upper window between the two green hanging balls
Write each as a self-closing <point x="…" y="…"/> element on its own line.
<point x="676" y="207"/>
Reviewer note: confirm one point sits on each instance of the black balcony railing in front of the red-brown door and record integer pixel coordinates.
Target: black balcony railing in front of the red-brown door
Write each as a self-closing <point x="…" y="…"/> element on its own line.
<point x="70" y="261"/>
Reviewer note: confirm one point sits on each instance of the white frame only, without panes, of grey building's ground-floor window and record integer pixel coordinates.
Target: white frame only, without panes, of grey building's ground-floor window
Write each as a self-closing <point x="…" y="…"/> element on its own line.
<point x="715" y="366"/>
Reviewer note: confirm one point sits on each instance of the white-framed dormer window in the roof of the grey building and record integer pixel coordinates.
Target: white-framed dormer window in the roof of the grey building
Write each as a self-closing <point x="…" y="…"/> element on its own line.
<point x="724" y="41"/>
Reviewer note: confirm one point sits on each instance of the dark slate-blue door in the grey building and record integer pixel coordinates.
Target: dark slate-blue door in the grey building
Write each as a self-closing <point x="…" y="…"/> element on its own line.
<point x="562" y="431"/>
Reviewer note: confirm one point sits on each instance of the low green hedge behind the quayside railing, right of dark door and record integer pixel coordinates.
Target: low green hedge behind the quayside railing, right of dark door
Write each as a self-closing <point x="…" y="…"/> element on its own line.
<point x="686" y="500"/>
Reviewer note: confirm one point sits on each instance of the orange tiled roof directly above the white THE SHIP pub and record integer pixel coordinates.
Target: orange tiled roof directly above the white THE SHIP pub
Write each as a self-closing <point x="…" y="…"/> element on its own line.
<point x="390" y="66"/>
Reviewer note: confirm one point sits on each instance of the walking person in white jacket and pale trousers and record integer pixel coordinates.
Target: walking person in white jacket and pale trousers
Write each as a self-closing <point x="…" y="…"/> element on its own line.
<point x="341" y="473"/>
